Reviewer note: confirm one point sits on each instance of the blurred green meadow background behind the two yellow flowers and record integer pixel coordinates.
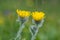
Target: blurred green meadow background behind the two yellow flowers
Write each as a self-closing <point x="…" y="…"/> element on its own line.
<point x="8" y="16"/>
